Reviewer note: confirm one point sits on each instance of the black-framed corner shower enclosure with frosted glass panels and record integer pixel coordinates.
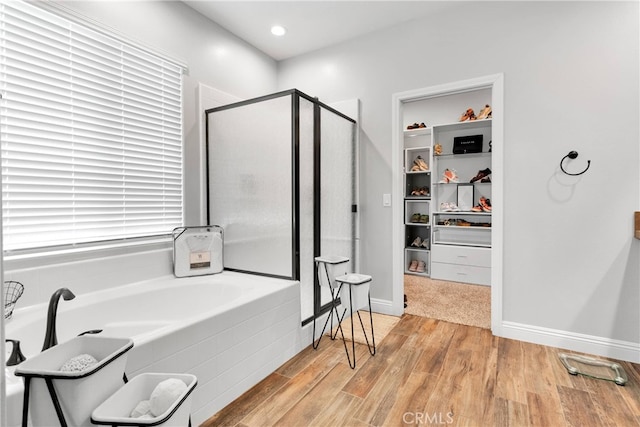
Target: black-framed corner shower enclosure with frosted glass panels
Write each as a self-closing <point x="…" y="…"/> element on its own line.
<point x="281" y="182"/>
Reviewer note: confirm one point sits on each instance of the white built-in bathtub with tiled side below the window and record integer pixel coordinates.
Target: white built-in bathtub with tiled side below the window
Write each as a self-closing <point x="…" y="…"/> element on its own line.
<point x="230" y="330"/>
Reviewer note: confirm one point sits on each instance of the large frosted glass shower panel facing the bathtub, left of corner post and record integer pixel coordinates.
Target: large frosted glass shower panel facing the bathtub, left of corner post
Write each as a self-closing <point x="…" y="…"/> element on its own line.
<point x="250" y="185"/>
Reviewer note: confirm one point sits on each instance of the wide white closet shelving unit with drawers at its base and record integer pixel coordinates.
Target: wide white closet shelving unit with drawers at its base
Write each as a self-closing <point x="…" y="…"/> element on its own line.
<point x="461" y="236"/>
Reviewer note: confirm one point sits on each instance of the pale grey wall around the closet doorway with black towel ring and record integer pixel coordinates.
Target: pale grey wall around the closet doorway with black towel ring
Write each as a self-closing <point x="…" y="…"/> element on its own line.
<point x="571" y="83"/>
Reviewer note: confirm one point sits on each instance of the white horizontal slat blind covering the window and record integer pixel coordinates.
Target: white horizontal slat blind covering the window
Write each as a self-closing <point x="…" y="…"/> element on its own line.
<point x="91" y="134"/>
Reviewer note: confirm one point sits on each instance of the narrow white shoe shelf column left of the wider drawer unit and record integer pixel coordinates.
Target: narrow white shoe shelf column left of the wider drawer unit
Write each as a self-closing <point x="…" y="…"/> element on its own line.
<point x="417" y="201"/>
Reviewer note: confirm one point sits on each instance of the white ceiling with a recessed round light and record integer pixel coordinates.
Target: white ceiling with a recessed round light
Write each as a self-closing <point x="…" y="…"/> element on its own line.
<point x="310" y="25"/>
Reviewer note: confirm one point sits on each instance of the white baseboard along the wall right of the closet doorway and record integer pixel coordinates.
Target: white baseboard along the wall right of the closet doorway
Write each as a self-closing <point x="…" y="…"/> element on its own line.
<point x="605" y="347"/>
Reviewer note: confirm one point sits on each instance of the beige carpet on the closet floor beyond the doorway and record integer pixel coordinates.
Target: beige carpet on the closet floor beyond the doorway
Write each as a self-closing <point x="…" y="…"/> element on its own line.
<point x="450" y="301"/>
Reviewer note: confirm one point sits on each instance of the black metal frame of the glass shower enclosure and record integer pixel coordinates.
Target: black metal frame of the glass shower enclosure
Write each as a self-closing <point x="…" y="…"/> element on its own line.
<point x="295" y="94"/>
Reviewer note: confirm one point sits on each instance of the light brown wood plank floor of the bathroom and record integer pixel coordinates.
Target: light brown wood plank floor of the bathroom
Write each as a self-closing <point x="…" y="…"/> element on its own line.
<point x="431" y="372"/>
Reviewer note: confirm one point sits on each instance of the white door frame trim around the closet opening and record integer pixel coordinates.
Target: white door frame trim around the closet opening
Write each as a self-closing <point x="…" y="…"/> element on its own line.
<point x="495" y="82"/>
